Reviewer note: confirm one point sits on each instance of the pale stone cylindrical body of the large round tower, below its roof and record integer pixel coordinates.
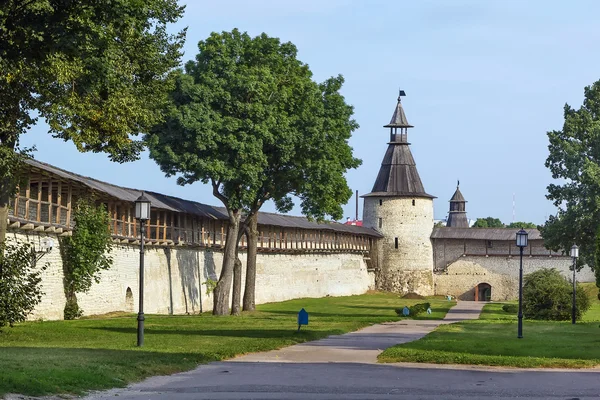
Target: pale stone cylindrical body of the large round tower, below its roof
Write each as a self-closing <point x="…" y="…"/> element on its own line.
<point x="409" y="221"/>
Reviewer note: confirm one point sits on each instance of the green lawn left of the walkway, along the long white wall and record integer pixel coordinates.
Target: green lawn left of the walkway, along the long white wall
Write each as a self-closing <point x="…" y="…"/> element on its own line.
<point x="38" y="358"/>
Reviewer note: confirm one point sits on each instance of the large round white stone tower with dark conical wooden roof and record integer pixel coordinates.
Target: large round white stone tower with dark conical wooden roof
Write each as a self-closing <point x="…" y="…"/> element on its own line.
<point x="400" y="209"/>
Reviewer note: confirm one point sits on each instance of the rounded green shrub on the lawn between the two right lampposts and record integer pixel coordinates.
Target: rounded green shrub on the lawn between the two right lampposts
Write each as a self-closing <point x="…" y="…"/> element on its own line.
<point x="547" y="295"/>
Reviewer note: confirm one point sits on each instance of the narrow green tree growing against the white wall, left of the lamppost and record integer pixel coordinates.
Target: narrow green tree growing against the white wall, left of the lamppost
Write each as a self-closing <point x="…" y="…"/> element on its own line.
<point x="85" y="254"/>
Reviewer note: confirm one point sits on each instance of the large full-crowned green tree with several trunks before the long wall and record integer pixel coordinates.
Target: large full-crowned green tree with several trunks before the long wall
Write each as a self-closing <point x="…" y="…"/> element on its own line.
<point x="248" y="119"/>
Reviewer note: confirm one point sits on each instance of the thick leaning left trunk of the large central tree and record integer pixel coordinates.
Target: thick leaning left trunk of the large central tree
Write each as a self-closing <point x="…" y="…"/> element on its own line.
<point x="221" y="292"/>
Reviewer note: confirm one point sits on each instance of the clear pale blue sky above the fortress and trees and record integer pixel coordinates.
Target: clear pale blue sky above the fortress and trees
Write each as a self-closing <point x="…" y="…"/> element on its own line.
<point x="485" y="81"/>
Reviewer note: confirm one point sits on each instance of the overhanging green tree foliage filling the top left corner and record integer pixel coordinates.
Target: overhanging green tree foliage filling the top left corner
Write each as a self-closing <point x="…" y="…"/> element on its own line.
<point x="96" y="71"/>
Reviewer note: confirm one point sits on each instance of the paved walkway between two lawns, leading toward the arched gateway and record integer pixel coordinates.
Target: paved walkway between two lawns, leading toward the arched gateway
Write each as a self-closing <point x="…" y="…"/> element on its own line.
<point x="365" y="345"/>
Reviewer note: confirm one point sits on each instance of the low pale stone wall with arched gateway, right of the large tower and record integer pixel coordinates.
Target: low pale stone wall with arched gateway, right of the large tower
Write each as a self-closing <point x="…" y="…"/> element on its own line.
<point x="502" y="273"/>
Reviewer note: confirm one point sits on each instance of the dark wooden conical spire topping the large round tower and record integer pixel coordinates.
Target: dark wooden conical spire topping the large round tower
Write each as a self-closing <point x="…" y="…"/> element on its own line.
<point x="398" y="175"/>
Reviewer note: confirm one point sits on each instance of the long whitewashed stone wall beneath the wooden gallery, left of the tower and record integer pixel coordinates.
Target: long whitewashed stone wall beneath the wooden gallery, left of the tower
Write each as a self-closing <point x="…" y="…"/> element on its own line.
<point x="175" y="277"/>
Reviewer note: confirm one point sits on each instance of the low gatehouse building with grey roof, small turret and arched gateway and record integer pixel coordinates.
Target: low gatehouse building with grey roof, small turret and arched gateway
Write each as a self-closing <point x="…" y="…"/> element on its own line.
<point x="483" y="263"/>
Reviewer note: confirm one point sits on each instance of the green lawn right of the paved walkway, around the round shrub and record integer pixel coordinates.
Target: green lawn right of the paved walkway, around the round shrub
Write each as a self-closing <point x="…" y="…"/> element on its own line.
<point x="492" y="340"/>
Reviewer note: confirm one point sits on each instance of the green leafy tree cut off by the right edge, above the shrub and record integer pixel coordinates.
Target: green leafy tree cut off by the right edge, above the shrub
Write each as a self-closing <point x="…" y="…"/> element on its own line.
<point x="575" y="159"/>
